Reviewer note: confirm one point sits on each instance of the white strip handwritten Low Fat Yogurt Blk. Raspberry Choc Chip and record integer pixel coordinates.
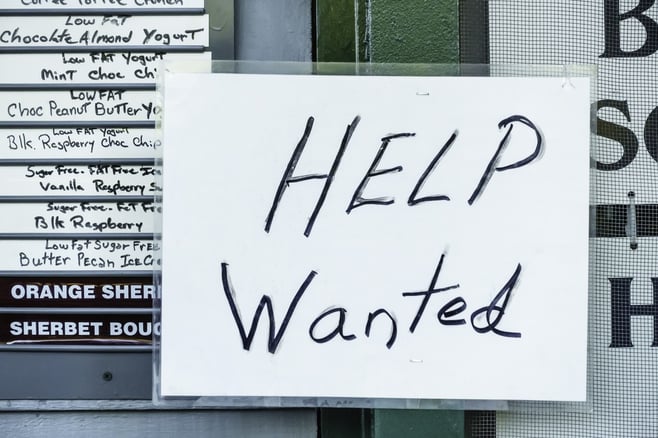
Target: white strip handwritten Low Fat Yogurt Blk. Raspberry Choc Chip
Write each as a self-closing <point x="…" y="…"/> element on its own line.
<point x="68" y="143"/>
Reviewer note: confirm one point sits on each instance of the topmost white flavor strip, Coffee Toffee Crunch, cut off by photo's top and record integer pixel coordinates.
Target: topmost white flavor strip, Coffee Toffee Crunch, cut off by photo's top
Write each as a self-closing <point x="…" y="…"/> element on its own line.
<point x="28" y="5"/>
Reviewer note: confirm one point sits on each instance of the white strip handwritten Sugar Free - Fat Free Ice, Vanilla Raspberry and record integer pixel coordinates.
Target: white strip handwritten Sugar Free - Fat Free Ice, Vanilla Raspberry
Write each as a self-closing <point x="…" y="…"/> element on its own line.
<point x="90" y="180"/>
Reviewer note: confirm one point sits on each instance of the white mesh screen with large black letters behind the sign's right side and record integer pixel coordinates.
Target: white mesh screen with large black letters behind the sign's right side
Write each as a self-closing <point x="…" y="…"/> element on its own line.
<point x="621" y="37"/>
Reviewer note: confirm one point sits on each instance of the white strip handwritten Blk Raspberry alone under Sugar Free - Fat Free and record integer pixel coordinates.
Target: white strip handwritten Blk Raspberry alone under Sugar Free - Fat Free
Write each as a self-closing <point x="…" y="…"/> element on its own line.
<point x="80" y="217"/>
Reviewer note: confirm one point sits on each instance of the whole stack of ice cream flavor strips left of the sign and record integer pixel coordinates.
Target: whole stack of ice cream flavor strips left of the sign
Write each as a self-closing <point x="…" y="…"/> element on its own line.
<point x="77" y="149"/>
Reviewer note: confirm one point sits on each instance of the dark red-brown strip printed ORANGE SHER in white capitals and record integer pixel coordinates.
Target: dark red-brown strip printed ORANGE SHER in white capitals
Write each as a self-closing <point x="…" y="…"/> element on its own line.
<point x="127" y="291"/>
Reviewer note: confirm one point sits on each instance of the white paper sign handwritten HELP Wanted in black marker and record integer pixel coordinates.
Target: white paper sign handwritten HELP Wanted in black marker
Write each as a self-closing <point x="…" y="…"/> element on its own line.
<point x="393" y="237"/>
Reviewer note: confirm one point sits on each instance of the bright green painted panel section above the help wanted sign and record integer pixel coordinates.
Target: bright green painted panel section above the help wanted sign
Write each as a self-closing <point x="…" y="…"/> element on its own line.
<point x="413" y="31"/>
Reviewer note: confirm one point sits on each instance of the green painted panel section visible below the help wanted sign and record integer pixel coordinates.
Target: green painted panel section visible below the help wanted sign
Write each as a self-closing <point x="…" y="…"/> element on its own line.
<point x="396" y="423"/>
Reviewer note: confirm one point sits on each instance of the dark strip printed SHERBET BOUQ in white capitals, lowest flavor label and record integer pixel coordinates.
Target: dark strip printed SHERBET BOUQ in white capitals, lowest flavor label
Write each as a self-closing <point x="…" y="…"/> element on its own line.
<point x="83" y="328"/>
